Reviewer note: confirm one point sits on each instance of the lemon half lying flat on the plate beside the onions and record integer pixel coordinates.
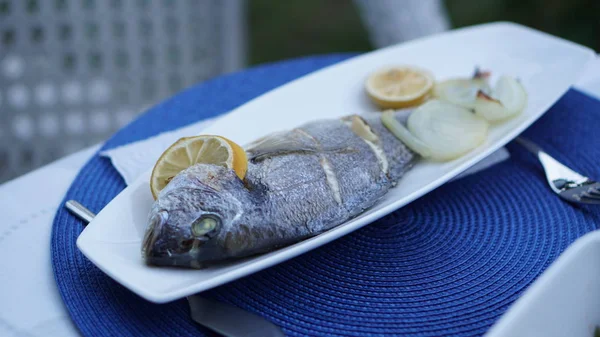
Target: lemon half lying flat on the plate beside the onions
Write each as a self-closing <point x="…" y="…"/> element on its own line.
<point x="399" y="87"/>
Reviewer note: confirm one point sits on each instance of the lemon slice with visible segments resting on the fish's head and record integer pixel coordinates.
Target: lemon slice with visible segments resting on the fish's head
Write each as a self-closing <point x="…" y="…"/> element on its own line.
<point x="189" y="151"/>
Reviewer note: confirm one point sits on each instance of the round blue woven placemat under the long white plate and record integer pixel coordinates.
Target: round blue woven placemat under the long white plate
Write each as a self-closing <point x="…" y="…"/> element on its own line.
<point x="450" y="263"/>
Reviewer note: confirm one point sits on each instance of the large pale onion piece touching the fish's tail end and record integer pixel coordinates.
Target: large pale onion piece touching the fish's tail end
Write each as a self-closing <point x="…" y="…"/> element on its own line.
<point x="439" y="130"/>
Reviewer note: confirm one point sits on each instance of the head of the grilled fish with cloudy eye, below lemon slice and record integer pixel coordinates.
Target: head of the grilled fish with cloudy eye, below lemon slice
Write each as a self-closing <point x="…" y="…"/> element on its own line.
<point x="192" y="215"/>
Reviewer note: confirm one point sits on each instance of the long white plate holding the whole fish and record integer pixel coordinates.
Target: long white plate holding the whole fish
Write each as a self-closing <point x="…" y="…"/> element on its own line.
<point x="546" y="65"/>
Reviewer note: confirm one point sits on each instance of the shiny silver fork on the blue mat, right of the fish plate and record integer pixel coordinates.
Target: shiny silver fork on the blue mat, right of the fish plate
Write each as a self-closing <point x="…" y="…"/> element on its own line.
<point x="565" y="182"/>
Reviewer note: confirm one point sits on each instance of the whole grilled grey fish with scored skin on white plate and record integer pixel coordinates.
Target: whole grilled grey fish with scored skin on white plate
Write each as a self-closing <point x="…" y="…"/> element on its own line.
<point x="299" y="183"/>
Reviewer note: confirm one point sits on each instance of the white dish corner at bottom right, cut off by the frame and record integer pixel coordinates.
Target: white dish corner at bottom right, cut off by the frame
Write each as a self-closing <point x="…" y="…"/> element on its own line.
<point x="564" y="301"/>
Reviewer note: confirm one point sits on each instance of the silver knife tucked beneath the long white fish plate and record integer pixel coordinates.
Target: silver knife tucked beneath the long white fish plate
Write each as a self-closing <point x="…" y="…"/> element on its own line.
<point x="225" y="319"/>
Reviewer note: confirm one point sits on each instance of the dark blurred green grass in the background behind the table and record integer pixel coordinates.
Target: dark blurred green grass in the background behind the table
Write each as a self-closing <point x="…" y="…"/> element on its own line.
<point x="281" y="29"/>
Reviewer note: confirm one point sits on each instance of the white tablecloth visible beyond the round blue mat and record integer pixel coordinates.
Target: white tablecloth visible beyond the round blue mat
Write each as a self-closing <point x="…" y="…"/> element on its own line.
<point x="30" y="304"/>
